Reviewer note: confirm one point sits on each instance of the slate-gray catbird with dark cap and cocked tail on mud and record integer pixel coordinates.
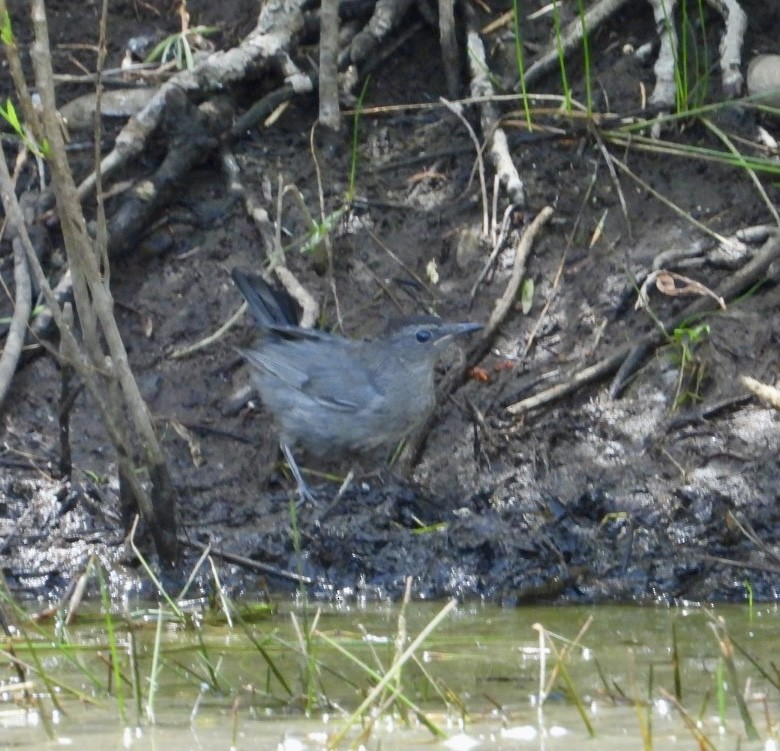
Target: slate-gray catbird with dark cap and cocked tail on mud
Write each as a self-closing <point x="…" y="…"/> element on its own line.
<point x="332" y="395"/>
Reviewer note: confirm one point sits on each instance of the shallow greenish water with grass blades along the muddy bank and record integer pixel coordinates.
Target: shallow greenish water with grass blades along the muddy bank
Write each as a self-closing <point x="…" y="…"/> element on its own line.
<point x="483" y="664"/>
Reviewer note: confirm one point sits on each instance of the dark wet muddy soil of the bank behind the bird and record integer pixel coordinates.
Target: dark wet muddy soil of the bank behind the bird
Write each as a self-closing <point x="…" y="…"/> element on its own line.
<point x="587" y="498"/>
